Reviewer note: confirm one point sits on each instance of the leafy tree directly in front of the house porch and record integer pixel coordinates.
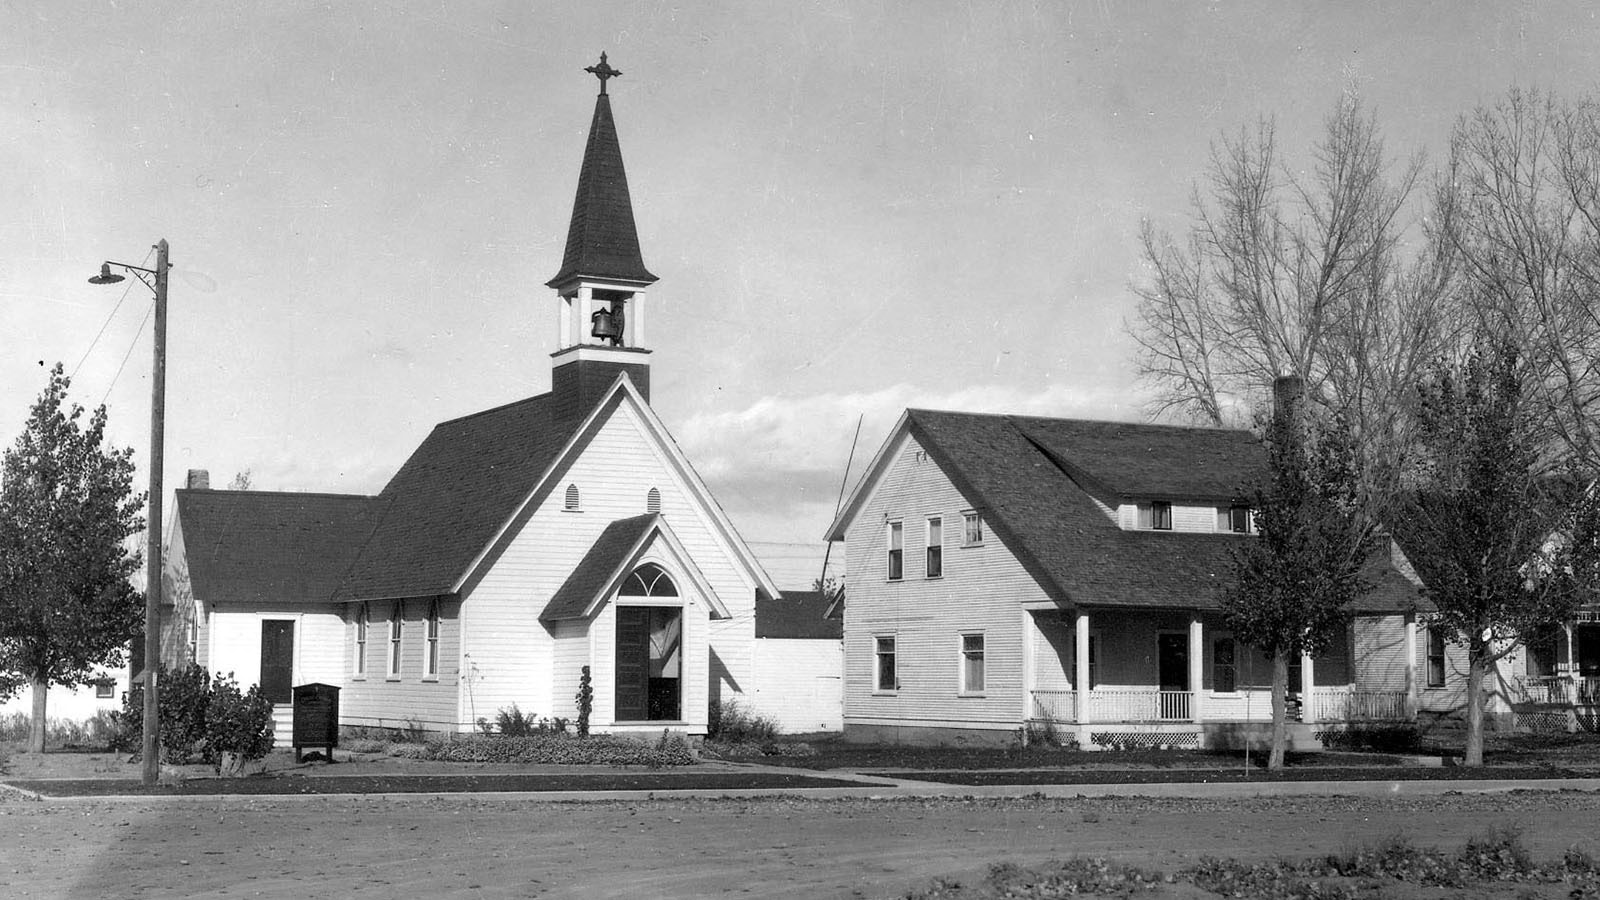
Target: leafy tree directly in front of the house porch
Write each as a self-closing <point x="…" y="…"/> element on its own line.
<point x="1295" y="582"/>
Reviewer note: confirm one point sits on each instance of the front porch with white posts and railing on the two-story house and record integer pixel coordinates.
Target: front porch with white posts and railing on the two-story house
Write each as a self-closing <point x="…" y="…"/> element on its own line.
<point x="1174" y="678"/>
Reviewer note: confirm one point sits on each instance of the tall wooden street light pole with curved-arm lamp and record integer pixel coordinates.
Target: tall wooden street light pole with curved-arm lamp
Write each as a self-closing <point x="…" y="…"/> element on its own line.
<point x="154" y="279"/>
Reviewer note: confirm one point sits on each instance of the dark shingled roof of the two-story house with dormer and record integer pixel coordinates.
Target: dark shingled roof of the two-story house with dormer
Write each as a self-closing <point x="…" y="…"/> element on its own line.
<point x="1022" y="475"/>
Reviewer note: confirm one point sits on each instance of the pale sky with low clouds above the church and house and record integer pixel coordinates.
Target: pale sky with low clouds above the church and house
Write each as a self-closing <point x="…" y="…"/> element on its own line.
<point x="854" y="207"/>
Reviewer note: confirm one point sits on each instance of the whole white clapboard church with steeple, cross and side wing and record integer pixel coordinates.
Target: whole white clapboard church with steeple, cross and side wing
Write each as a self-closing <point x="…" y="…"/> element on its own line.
<point x="516" y="548"/>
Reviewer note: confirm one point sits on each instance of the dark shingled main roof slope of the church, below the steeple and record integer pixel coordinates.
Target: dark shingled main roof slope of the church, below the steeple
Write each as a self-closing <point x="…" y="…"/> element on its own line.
<point x="452" y="497"/>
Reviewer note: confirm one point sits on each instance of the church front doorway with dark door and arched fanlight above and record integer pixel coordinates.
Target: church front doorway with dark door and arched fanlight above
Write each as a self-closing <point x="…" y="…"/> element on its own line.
<point x="649" y="649"/>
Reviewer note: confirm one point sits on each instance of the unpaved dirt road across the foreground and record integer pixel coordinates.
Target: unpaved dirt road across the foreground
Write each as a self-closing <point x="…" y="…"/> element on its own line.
<point x="454" y="846"/>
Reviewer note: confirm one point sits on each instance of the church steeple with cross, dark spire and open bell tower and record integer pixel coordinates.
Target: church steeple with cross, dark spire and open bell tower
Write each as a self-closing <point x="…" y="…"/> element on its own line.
<point x="601" y="287"/>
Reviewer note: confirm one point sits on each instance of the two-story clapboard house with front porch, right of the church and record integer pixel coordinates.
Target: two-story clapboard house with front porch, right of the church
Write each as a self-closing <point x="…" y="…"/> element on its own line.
<point x="1010" y="571"/>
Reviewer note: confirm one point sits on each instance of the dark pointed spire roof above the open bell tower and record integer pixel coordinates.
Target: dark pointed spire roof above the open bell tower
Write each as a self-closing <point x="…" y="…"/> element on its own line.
<point x="602" y="241"/>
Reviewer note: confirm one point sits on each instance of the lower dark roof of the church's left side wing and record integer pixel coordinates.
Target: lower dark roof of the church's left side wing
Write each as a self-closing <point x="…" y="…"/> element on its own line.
<point x="255" y="547"/>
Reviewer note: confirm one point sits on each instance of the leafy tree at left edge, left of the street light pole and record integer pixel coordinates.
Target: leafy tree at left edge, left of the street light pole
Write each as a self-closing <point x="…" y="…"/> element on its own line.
<point x="66" y="512"/>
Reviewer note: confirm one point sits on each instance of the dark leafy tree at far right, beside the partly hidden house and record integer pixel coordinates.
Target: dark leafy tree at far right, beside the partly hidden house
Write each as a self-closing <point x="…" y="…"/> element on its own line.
<point x="1505" y="550"/>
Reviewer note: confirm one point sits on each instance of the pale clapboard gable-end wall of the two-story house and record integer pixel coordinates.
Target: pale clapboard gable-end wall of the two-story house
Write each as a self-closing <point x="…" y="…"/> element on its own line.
<point x="980" y="592"/>
